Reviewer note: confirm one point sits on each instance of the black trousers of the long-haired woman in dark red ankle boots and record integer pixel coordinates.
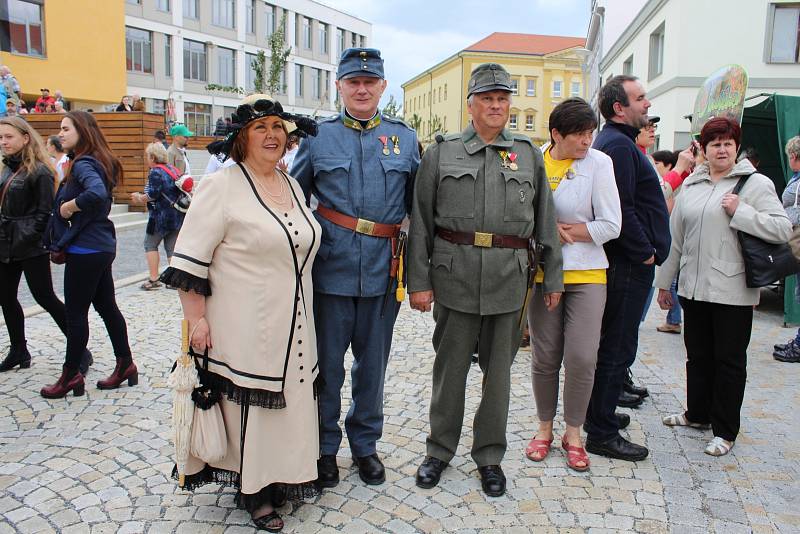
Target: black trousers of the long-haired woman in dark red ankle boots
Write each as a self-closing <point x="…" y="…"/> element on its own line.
<point x="88" y="281"/>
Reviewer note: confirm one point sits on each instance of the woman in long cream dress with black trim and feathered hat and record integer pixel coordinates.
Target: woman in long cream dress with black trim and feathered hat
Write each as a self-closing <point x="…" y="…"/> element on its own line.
<point x="243" y="264"/>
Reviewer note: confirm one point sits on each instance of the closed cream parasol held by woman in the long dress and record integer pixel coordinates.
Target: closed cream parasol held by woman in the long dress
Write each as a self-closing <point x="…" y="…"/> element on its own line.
<point x="183" y="380"/>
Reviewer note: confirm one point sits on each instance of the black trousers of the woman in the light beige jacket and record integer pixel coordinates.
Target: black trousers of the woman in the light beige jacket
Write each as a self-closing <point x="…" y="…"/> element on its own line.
<point x="716" y="338"/>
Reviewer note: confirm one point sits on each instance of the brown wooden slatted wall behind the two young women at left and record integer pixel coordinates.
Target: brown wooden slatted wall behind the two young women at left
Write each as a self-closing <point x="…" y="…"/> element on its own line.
<point x="128" y="134"/>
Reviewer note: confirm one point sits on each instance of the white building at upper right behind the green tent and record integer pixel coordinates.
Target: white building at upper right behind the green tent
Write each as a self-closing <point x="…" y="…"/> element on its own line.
<point x="673" y="45"/>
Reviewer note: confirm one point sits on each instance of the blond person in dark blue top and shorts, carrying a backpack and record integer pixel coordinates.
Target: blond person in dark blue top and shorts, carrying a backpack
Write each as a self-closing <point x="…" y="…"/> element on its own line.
<point x="164" y="221"/>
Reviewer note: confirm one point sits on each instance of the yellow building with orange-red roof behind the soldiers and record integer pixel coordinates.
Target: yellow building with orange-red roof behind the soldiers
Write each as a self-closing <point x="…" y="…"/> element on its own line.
<point x="435" y="101"/>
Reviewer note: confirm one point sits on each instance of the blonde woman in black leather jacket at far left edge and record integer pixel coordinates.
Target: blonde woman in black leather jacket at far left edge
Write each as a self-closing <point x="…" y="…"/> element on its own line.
<point x="27" y="188"/>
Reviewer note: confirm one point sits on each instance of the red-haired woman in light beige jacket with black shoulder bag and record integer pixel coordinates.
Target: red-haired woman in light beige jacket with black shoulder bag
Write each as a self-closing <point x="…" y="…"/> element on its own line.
<point x="717" y="304"/>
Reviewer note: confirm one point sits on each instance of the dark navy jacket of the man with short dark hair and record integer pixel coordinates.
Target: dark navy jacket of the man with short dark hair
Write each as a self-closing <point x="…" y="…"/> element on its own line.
<point x="645" y="219"/>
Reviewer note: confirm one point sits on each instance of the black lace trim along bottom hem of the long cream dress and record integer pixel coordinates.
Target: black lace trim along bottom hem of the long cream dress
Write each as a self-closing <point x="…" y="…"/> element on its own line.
<point x="275" y="494"/>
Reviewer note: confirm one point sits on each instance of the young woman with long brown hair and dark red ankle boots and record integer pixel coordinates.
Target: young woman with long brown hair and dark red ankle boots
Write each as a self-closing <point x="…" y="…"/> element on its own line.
<point x="81" y="234"/>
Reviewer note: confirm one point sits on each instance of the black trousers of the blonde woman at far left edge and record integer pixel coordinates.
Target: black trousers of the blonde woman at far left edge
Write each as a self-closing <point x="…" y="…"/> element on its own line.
<point x="40" y="282"/>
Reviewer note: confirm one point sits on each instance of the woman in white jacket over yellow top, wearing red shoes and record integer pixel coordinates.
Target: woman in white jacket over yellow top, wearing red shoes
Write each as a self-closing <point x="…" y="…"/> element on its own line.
<point x="589" y="214"/>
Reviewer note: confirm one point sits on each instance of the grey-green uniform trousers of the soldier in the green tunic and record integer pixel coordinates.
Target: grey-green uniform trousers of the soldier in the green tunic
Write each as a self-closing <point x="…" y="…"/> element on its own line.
<point x="454" y="340"/>
